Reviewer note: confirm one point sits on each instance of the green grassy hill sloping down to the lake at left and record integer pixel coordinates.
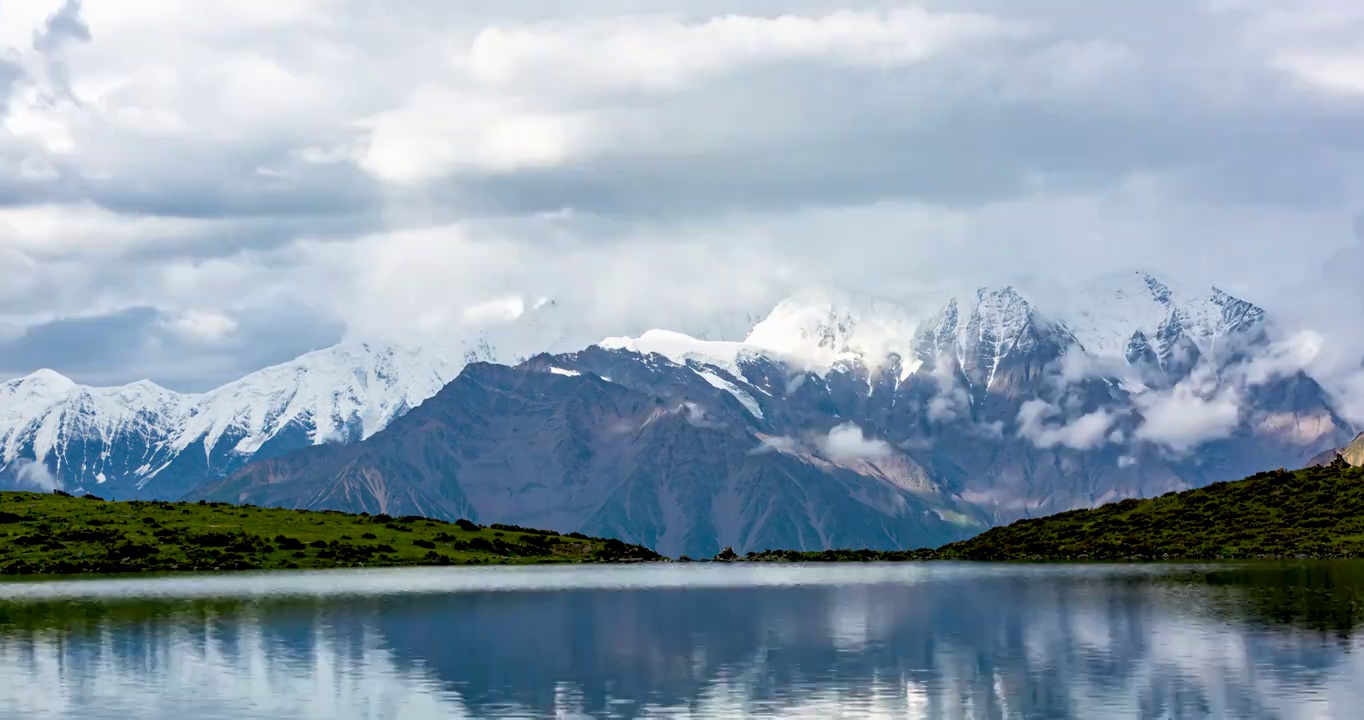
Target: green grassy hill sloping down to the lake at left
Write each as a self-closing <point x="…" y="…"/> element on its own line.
<point x="57" y="535"/>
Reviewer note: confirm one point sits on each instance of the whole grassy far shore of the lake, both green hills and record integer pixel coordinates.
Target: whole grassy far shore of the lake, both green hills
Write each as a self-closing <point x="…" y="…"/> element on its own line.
<point x="1316" y="513"/>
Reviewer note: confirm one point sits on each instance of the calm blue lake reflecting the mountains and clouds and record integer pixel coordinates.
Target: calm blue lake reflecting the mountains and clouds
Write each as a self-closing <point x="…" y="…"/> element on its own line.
<point x="962" y="642"/>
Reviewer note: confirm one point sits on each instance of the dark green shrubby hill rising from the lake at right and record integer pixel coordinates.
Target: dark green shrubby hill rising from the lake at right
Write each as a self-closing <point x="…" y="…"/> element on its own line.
<point x="1310" y="513"/>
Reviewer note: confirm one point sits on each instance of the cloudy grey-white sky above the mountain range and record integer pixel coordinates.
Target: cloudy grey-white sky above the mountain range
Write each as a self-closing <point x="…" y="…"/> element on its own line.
<point x="190" y="192"/>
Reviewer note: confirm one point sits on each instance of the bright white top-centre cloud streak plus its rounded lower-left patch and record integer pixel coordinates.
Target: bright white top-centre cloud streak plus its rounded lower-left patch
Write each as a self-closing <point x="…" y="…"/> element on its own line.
<point x="514" y="99"/>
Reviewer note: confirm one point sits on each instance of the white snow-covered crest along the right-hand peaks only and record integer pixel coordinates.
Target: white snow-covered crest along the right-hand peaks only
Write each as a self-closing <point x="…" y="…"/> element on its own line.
<point x="819" y="332"/>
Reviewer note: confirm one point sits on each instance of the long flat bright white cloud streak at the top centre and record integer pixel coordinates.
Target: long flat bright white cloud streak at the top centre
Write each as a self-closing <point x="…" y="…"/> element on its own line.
<point x="668" y="52"/>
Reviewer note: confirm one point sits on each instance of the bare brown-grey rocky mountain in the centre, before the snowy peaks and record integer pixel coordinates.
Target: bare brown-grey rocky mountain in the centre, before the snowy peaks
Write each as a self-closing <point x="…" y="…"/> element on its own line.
<point x="685" y="472"/>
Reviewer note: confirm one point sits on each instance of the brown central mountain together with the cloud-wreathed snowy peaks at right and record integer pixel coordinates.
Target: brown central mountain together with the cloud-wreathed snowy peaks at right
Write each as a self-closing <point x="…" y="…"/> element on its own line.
<point x="842" y="422"/>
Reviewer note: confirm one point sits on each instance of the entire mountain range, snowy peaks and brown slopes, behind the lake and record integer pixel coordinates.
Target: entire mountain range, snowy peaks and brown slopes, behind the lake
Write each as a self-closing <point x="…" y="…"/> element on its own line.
<point x="837" y="421"/>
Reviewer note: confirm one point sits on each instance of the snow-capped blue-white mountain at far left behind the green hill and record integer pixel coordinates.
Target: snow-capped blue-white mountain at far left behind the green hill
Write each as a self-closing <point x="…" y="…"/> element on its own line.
<point x="147" y="441"/>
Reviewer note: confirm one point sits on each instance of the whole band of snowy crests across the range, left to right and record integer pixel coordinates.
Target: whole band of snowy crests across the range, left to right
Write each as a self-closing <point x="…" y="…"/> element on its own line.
<point x="351" y="392"/>
